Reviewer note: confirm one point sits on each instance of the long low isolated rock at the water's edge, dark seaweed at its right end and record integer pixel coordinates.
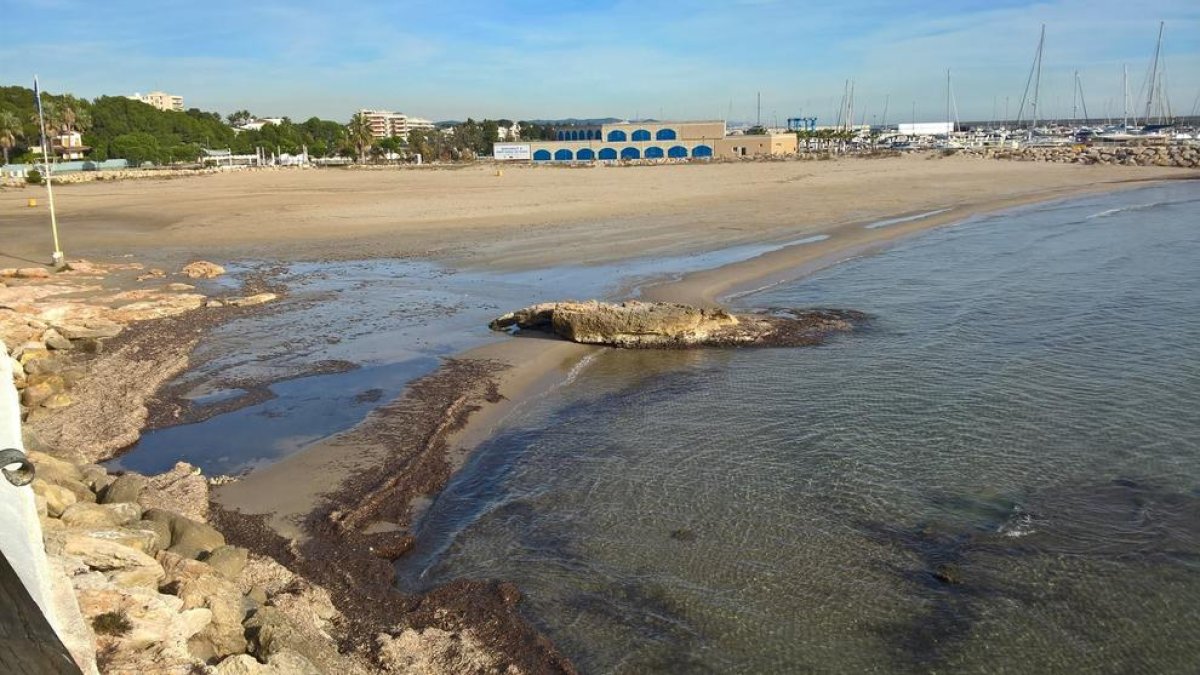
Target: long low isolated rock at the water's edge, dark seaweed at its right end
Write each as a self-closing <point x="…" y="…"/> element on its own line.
<point x="638" y="325"/>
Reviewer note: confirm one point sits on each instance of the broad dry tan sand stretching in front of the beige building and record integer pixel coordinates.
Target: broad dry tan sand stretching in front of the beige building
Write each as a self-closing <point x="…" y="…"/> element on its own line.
<point x="530" y="217"/>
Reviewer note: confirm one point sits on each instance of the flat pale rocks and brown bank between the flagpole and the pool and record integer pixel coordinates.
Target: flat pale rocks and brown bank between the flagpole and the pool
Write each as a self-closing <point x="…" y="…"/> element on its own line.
<point x="88" y="345"/>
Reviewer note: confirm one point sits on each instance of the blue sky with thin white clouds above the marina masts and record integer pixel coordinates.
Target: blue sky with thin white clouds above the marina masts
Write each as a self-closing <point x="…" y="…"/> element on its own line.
<point x="680" y="59"/>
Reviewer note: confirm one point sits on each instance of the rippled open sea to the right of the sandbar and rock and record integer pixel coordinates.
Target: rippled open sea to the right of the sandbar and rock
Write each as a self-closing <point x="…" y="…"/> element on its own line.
<point x="1001" y="474"/>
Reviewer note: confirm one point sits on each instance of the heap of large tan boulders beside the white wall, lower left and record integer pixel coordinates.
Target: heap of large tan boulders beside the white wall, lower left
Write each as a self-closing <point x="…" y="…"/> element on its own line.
<point x="161" y="592"/>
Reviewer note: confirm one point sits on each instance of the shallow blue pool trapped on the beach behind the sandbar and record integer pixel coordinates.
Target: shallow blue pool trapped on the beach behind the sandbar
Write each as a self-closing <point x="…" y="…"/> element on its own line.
<point x="388" y="320"/>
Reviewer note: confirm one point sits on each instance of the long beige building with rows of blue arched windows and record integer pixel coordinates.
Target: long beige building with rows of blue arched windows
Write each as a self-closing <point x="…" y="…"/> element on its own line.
<point x="657" y="141"/>
